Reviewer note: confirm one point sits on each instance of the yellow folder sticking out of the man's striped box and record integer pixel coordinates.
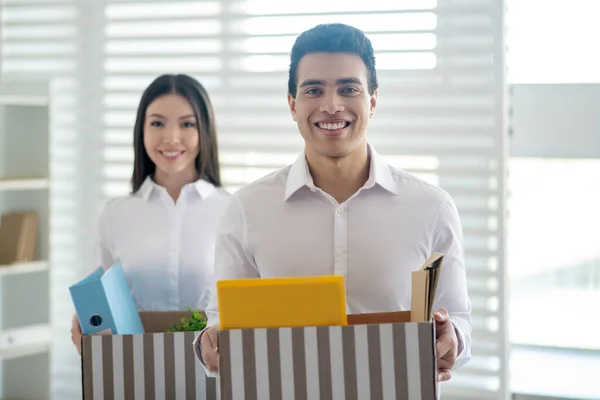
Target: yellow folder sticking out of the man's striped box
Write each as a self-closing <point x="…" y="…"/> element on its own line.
<point x="282" y="302"/>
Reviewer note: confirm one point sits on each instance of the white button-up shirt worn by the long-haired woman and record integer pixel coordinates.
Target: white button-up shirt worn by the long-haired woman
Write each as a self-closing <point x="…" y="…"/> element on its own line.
<point x="166" y="248"/>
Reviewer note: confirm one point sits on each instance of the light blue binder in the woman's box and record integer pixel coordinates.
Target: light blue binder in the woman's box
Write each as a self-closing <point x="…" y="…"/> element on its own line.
<point x="103" y="303"/>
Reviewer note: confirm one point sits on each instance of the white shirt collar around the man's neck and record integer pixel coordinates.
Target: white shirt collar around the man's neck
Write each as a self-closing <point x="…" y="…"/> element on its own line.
<point x="379" y="173"/>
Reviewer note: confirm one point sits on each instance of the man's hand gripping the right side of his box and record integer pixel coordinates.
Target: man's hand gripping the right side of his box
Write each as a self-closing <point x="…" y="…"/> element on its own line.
<point x="446" y="344"/>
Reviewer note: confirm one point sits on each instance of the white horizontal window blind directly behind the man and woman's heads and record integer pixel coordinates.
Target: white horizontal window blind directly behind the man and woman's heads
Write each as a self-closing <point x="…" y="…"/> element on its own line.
<point x="440" y="115"/>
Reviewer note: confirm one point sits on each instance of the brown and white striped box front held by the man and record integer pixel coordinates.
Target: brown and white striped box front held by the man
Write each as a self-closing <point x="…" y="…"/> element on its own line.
<point x="357" y="362"/>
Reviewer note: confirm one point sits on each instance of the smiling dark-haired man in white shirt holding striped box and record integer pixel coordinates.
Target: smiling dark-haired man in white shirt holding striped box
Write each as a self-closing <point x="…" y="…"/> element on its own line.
<point x="340" y="209"/>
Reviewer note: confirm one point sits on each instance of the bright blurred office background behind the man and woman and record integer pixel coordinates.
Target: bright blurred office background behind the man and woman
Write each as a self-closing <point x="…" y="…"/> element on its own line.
<point x="496" y="101"/>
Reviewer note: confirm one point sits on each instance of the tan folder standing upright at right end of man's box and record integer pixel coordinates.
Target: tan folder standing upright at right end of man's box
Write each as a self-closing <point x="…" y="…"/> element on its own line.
<point x="424" y="286"/>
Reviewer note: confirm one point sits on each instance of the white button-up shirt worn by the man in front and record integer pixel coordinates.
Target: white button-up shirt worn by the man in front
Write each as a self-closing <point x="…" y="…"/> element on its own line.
<point x="283" y="225"/>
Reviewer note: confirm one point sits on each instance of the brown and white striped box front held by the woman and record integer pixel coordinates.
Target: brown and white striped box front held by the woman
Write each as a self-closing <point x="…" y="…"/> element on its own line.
<point x="148" y="366"/>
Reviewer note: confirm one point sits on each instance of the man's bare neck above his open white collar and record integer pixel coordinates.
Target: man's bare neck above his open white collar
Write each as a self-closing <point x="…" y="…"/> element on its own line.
<point x="340" y="177"/>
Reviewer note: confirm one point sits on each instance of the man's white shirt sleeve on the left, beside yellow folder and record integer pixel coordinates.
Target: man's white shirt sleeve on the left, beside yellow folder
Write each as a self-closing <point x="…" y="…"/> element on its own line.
<point x="232" y="260"/>
